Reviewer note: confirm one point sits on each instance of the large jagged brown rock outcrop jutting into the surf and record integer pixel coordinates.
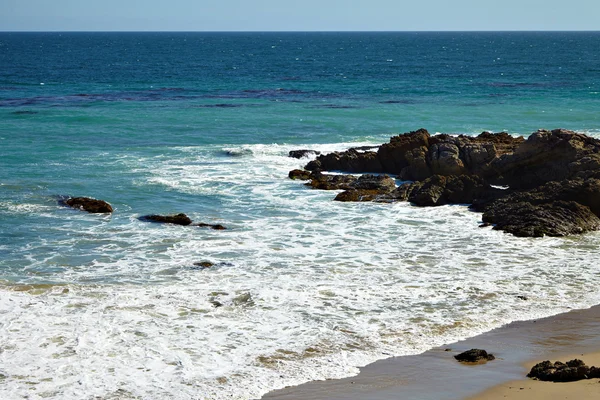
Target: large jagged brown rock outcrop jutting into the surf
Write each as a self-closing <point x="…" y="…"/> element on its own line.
<point x="547" y="184"/>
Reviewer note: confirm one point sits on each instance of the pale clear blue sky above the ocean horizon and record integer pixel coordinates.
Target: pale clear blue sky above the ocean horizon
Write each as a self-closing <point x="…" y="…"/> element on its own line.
<point x="298" y="15"/>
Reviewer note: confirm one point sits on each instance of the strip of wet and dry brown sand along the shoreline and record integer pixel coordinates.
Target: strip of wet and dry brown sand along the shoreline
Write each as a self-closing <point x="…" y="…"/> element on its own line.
<point x="436" y="375"/>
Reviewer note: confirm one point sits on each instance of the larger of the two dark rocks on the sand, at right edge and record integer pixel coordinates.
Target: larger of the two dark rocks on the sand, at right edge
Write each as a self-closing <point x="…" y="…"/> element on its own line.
<point x="570" y="371"/>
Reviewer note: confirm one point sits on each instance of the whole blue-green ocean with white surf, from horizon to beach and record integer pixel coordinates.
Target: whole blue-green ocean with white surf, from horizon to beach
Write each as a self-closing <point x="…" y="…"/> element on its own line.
<point x="302" y="288"/>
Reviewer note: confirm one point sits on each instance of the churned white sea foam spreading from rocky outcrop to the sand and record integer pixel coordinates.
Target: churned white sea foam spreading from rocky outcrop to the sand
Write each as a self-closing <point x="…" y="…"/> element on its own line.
<point x="302" y="288"/>
